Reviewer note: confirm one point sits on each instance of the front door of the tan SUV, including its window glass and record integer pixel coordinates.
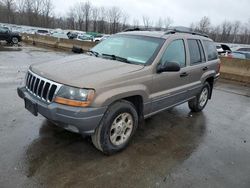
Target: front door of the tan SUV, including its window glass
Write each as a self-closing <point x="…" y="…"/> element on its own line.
<point x="169" y="88"/>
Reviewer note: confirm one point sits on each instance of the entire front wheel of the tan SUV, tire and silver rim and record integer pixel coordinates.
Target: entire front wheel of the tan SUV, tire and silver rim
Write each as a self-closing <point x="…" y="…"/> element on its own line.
<point x="116" y="128"/>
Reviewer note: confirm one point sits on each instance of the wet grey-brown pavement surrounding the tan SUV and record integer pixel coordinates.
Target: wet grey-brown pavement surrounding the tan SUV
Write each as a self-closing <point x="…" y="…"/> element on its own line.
<point x="174" y="149"/>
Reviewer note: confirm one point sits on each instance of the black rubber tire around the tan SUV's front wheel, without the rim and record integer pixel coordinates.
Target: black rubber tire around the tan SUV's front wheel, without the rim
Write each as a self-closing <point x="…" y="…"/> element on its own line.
<point x="115" y="111"/>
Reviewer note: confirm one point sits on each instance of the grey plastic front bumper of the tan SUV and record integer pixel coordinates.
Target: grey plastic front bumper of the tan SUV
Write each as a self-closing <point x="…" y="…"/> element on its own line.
<point x="75" y="119"/>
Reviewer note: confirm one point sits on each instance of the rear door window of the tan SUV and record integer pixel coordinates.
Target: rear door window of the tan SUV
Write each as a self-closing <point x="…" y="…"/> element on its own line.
<point x="196" y="51"/>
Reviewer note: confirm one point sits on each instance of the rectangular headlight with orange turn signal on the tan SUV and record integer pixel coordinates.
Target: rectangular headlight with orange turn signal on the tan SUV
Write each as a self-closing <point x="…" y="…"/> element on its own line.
<point x="74" y="96"/>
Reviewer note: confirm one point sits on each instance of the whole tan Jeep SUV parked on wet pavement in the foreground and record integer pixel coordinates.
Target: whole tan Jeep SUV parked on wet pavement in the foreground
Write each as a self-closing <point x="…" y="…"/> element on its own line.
<point x="126" y="78"/>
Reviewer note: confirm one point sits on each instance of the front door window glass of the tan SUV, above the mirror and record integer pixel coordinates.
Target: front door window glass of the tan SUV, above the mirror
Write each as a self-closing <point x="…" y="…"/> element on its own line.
<point x="175" y="52"/>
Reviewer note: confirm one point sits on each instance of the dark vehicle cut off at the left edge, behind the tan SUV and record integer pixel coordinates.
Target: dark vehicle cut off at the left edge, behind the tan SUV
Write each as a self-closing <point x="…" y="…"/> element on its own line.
<point x="8" y="36"/>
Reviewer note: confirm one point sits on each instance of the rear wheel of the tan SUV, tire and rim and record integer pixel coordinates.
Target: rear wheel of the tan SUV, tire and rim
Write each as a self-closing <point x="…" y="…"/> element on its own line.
<point x="198" y="104"/>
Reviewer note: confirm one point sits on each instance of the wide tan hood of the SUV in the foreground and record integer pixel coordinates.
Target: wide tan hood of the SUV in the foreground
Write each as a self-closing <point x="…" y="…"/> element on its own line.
<point x="83" y="71"/>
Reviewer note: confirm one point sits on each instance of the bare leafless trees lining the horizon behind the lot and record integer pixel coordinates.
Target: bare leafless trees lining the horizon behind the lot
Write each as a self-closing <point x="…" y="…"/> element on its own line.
<point x="86" y="17"/>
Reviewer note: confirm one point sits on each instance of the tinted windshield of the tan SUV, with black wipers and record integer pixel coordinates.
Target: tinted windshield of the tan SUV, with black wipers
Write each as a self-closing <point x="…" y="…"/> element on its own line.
<point x="135" y="49"/>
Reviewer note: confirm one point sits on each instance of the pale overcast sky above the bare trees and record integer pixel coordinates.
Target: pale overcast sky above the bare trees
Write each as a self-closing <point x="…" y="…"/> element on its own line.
<point x="183" y="12"/>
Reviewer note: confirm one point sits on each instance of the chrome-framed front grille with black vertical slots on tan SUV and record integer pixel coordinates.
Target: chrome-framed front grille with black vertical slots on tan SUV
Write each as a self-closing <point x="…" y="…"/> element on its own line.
<point x="40" y="87"/>
